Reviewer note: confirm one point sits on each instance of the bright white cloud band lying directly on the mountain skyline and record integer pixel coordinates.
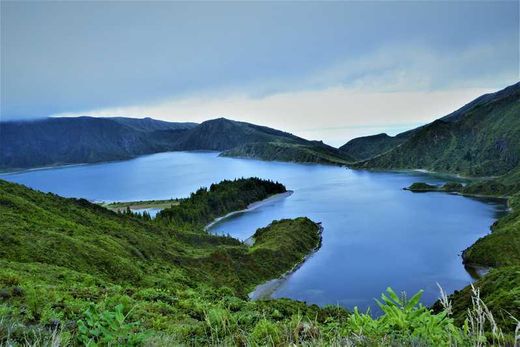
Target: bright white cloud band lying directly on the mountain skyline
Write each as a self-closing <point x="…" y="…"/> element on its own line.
<point x="333" y="114"/>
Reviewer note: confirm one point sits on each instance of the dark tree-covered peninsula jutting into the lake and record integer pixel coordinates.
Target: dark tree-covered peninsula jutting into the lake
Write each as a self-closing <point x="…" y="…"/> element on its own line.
<point x="205" y="204"/>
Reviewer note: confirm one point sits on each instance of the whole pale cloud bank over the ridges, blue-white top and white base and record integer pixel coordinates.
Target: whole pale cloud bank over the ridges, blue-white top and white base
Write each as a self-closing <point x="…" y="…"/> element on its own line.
<point x="393" y="89"/>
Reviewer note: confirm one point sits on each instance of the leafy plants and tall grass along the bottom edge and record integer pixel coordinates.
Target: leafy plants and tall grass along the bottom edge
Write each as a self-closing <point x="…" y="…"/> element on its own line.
<point x="404" y="322"/>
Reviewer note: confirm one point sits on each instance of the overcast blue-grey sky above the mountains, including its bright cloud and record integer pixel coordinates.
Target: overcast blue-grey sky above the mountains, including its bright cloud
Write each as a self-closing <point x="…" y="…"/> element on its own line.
<point x="322" y="70"/>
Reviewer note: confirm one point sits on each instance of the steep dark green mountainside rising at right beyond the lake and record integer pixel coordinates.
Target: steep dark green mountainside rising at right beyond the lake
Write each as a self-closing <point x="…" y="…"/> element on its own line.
<point x="480" y="139"/>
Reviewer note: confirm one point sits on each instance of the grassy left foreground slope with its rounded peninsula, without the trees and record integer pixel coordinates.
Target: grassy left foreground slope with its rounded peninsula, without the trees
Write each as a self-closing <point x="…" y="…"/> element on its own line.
<point x="59" y="255"/>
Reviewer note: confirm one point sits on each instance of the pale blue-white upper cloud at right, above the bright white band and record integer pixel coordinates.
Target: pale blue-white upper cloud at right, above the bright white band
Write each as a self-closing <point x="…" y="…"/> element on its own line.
<point x="407" y="67"/>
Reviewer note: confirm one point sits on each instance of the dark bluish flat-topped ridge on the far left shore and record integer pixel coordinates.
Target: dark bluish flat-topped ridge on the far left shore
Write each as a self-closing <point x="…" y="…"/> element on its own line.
<point x="58" y="141"/>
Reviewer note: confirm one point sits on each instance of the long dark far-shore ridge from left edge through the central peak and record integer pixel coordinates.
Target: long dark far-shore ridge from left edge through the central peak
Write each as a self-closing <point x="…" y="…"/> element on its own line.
<point x="59" y="141"/>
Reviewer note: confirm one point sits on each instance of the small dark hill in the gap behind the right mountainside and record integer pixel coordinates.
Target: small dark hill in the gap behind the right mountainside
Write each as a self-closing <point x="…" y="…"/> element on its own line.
<point x="366" y="147"/>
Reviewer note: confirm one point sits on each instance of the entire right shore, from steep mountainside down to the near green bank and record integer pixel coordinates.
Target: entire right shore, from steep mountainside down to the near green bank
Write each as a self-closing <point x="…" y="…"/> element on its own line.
<point x="480" y="139"/>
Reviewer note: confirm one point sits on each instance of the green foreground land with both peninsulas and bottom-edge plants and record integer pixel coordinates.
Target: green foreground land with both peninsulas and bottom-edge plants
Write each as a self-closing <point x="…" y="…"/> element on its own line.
<point x="75" y="273"/>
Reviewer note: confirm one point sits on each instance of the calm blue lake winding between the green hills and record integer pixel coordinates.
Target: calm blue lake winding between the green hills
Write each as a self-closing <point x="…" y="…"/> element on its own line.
<point x="375" y="234"/>
